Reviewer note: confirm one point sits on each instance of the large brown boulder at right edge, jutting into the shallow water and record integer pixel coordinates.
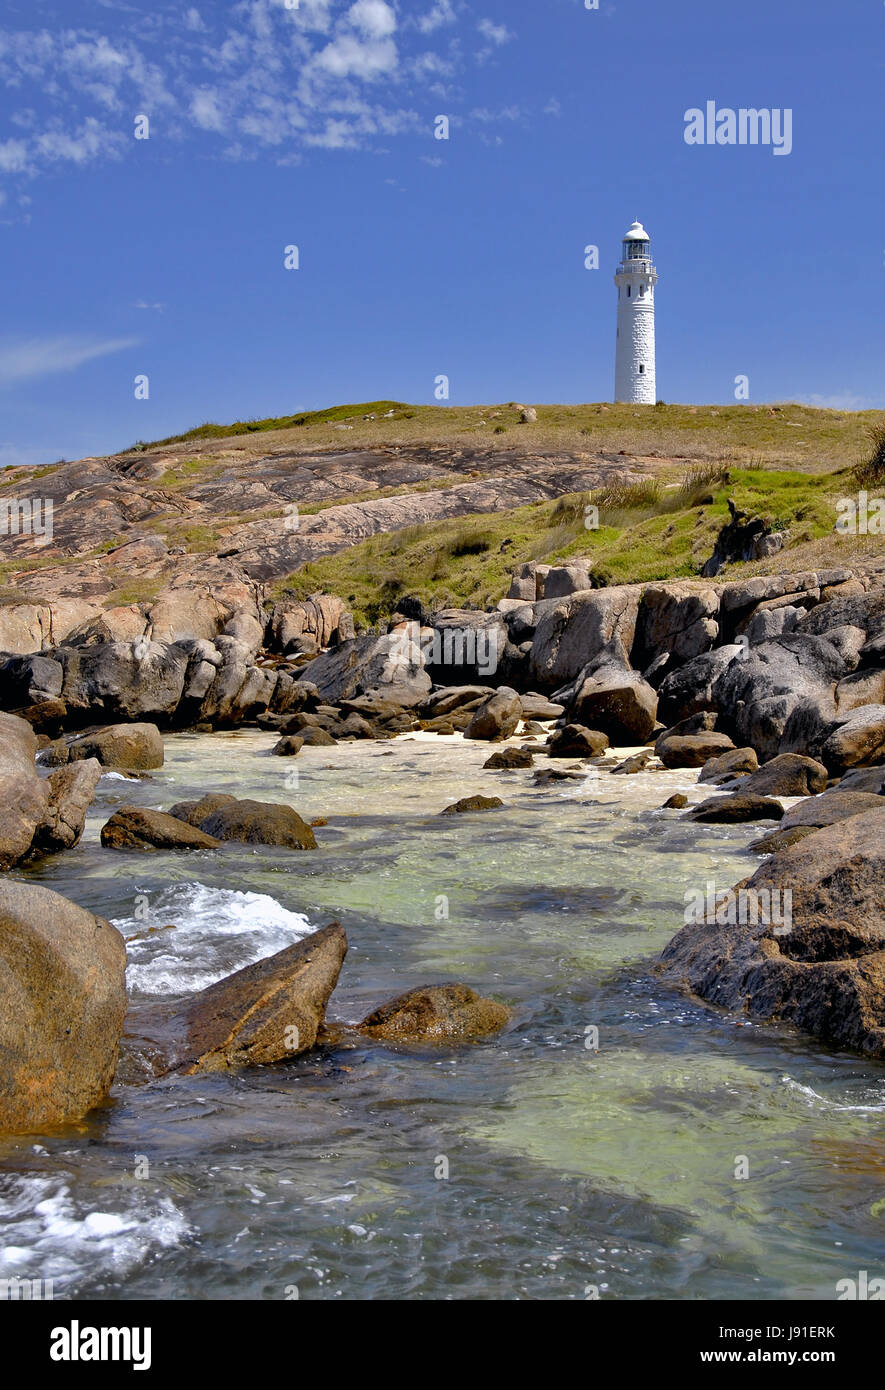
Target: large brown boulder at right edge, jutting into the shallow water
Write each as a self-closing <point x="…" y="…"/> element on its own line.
<point x="825" y="974"/>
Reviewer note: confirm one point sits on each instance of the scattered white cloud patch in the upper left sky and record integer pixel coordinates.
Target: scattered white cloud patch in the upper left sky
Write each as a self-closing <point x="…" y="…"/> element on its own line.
<point x="254" y="77"/>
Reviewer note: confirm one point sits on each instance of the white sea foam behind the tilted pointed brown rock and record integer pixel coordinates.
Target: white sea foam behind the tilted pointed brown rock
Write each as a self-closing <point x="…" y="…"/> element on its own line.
<point x="217" y="931"/>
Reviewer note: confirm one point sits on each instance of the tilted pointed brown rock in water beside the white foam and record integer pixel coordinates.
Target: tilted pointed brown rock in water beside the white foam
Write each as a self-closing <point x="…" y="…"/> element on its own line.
<point x="267" y="1013"/>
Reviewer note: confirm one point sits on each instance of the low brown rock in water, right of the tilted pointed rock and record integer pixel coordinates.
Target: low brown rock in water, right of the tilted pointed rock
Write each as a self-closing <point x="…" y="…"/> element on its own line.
<point x="436" y="1014"/>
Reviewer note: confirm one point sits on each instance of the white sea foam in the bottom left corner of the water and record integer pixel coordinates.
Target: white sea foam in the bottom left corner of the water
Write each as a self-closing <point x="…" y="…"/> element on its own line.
<point x="47" y="1234"/>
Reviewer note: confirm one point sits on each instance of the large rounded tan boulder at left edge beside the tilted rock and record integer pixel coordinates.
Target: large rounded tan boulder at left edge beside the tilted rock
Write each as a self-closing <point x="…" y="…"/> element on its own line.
<point x="65" y="999"/>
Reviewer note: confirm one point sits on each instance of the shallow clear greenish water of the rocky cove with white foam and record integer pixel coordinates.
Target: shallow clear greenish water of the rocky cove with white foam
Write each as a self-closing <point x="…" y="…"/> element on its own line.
<point x="568" y="1168"/>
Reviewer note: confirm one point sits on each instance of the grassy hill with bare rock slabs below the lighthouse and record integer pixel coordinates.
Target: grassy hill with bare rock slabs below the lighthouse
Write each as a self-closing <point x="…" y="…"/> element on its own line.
<point x="661" y="476"/>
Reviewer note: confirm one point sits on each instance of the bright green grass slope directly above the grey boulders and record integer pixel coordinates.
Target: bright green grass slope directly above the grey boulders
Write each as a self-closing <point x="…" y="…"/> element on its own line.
<point x="648" y="532"/>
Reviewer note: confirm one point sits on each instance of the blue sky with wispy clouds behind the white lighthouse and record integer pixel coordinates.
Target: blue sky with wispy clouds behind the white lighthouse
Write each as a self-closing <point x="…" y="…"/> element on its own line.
<point x="313" y="124"/>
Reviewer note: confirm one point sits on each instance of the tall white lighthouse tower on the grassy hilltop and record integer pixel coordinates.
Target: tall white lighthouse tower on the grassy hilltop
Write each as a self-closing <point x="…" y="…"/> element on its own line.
<point x="634" y="369"/>
